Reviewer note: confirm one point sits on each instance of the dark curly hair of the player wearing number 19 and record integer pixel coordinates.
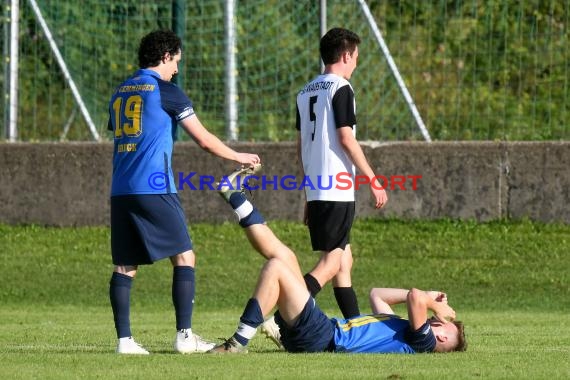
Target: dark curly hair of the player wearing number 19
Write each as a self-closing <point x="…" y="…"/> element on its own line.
<point x="155" y="45"/>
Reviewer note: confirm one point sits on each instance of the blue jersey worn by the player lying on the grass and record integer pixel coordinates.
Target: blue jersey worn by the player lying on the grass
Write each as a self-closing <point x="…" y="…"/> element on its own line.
<point x="381" y="333"/>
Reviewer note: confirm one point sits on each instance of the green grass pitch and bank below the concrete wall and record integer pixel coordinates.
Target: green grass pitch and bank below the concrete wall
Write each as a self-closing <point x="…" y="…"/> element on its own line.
<point x="508" y="281"/>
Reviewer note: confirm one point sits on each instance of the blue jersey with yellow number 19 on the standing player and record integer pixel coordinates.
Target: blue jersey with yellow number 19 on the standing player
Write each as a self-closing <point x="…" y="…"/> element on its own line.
<point x="143" y="114"/>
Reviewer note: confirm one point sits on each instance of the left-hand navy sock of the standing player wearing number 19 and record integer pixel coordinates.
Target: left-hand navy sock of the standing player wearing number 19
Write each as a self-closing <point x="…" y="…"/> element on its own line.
<point x="120" y="294"/>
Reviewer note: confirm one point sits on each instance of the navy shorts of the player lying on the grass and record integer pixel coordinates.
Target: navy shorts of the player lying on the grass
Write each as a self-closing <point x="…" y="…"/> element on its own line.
<point x="313" y="331"/>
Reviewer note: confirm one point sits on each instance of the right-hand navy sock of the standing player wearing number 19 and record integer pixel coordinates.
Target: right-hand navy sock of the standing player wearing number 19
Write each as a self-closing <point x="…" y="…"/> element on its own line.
<point x="183" y="291"/>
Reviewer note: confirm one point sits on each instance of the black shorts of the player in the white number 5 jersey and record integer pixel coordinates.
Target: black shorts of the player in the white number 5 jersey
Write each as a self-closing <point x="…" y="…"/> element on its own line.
<point x="330" y="224"/>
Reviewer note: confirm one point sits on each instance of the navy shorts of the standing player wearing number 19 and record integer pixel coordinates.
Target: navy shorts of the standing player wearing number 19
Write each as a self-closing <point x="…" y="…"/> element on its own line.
<point x="147" y="228"/>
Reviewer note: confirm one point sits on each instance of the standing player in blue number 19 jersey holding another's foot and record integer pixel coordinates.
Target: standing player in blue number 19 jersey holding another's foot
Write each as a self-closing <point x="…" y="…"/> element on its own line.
<point x="147" y="220"/>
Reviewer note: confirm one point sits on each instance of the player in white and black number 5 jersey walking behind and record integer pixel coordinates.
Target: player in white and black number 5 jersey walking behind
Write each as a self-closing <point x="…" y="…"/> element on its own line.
<point x="327" y="148"/>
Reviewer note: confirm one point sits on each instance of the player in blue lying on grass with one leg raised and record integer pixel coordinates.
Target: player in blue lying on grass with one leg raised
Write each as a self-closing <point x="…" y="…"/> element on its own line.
<point x="305" y="328"/>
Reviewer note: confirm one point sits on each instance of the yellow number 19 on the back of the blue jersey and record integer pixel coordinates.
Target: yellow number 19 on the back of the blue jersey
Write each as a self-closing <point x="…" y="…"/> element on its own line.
<point x="128" y="116"/>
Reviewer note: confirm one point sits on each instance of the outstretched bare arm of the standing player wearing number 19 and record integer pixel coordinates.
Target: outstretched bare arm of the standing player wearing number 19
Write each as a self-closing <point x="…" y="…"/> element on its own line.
<point x="212" y="144"/>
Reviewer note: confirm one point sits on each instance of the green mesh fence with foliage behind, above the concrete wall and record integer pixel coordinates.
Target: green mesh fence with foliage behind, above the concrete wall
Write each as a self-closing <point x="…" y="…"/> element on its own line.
<point x="475" y="69"/>
